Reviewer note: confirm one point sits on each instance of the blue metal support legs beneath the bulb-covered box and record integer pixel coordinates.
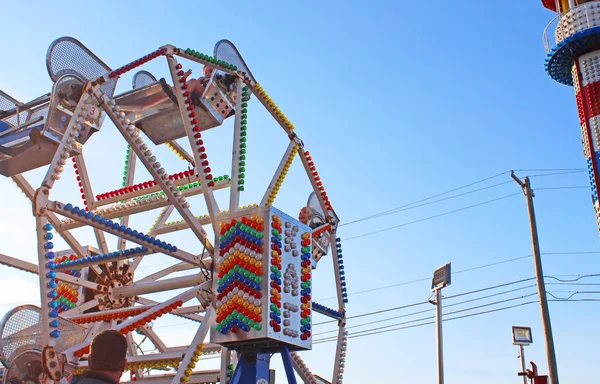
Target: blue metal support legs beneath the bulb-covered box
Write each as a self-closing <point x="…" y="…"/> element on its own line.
<point x="254" y="366"/>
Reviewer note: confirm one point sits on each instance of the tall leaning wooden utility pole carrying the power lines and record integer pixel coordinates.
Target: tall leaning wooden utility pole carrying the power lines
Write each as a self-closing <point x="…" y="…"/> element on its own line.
<point x="539" y="274"/>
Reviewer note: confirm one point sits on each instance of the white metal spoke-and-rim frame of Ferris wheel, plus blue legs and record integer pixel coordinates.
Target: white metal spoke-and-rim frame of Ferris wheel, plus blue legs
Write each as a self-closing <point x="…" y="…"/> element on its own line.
<point x="250" y="365"/>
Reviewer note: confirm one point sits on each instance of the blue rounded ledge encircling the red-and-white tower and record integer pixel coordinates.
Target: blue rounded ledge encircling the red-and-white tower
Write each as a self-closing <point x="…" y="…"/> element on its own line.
<point x="560" y="59"/>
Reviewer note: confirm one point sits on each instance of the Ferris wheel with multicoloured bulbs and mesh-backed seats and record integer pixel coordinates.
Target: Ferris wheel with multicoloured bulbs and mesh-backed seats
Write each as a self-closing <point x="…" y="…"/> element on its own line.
<point x="248" y="289"/>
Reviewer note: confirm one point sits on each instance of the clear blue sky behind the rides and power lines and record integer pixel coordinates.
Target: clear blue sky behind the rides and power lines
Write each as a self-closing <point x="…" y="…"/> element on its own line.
<point x="397" y="101"/>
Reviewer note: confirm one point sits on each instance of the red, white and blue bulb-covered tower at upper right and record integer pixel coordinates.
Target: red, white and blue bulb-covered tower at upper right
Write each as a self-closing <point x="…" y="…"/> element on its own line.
<point x="572" y="43"/>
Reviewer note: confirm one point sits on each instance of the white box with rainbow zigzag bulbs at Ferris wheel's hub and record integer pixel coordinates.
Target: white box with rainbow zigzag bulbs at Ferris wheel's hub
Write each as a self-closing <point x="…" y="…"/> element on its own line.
<point x="263" y="289"/>
